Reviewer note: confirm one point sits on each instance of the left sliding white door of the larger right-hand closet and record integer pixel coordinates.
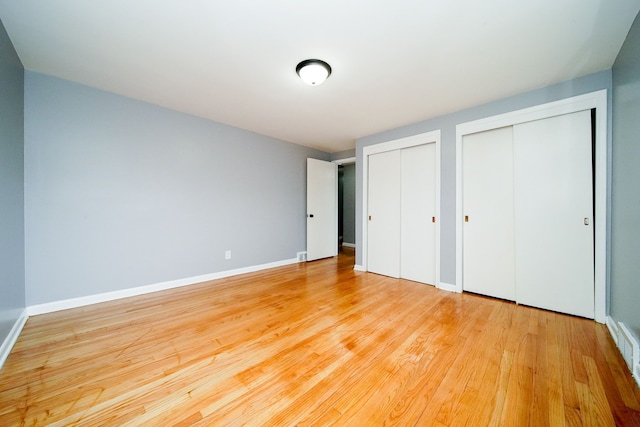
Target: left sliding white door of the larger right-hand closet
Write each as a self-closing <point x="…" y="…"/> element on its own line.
<point x="488" y="228"/>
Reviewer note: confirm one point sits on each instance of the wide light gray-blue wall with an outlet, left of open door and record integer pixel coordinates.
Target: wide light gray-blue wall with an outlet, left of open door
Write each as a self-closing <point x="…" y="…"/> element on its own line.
<point x="121" y="193"/>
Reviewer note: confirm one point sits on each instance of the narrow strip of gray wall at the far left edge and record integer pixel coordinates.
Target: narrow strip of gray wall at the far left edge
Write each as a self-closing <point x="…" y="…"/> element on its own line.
<point x="12" y="287"/>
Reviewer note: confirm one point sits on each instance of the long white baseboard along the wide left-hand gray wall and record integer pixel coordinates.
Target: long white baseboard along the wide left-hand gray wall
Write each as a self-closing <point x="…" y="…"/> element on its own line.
<point x="125" y="293"/>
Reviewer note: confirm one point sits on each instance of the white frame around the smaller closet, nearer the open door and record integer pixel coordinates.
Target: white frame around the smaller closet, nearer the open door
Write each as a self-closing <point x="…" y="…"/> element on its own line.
<point x="397" y="144"/>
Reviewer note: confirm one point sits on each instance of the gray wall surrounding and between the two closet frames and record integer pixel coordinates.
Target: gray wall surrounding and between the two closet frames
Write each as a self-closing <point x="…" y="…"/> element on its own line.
<point x="447" y="125"/>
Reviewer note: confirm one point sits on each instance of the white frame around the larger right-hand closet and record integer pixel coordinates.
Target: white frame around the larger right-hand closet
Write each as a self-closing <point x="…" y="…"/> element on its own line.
<point x="595" y="100"/>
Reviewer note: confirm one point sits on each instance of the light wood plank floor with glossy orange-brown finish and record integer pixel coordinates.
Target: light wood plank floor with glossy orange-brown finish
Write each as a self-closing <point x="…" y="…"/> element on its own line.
<point x="315" y="344"/>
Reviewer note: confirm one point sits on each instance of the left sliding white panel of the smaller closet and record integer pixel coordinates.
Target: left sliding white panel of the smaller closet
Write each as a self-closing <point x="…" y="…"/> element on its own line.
<point x="383" y="246"/>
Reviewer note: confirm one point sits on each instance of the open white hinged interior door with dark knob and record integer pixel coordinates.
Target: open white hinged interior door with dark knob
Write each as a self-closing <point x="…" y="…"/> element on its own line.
<point x="322" y="209"/>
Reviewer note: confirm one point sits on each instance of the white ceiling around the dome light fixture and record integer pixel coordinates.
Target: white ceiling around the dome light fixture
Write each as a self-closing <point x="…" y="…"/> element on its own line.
<point x="394" y="62"/>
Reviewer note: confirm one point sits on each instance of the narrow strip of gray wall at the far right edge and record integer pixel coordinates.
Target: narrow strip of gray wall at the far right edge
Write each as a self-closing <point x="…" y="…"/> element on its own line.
<point x="625" y="197"/>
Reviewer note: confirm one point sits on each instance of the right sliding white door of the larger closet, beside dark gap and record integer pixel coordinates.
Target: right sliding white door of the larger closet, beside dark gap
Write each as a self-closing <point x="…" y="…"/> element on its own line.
<point x="553" y="210"/>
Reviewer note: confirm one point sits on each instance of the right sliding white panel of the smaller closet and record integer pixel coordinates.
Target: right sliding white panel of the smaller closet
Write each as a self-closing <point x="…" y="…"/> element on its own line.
<point x="418" y="207"/>
